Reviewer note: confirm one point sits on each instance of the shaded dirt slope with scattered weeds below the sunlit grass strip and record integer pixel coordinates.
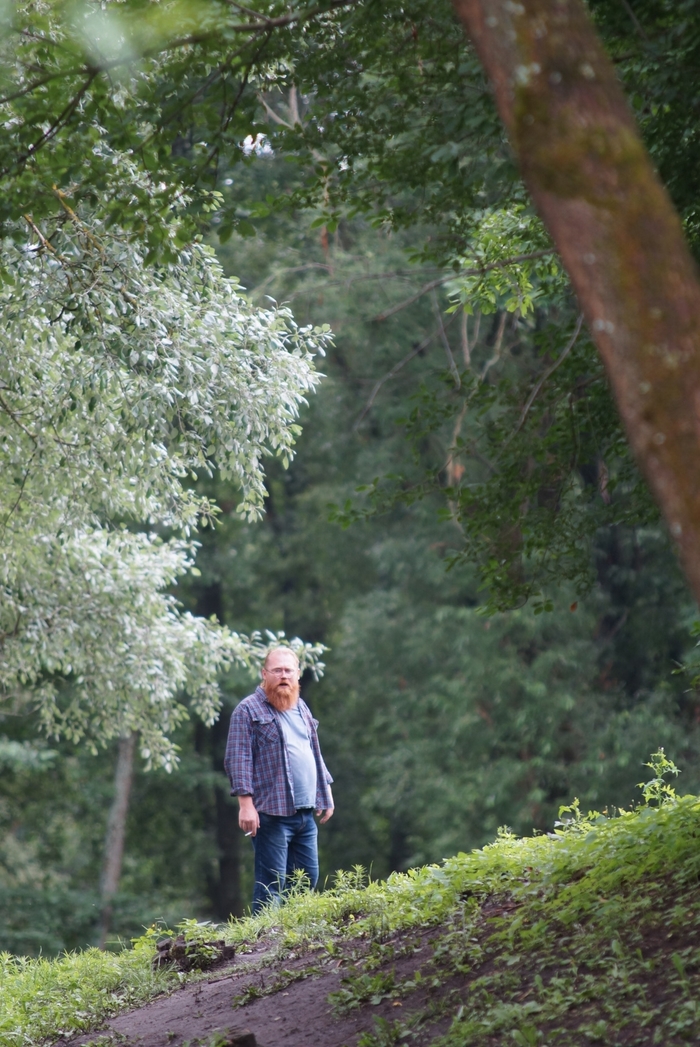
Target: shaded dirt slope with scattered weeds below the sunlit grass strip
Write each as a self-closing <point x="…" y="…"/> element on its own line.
<point x="640" y="986"/>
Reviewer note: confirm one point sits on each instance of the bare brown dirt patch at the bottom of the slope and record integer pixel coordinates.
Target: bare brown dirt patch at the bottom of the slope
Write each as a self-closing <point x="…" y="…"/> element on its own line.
<point x="283" y="1005"/>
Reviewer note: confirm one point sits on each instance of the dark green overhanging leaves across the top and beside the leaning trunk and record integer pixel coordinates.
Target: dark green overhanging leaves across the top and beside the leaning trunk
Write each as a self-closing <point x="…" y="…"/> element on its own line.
<point x="385" y="109"/>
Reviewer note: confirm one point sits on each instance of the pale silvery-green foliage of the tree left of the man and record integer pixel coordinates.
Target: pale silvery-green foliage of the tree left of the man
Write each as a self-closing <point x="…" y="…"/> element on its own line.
<point x="119" y="383"/>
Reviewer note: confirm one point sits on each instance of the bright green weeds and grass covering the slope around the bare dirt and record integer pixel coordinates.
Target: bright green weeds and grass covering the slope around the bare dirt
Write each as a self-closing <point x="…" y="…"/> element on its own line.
<point x="558" y="939"/>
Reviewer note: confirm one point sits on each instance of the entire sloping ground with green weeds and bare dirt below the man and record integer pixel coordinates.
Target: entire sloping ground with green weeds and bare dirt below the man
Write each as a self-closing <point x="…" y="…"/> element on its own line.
<point x="585" y="934"/>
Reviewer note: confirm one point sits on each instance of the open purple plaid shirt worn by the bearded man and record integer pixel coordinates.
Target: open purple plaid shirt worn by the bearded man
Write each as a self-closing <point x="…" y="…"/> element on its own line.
<point x="257" y="762"/>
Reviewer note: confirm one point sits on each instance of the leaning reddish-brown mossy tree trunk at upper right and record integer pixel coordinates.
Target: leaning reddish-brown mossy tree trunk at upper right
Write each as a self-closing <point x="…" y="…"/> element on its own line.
<point x="616" y="229"/>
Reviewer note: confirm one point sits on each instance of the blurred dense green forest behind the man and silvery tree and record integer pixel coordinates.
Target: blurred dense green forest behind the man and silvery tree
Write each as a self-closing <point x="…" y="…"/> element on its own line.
<point x="440" y="724"/>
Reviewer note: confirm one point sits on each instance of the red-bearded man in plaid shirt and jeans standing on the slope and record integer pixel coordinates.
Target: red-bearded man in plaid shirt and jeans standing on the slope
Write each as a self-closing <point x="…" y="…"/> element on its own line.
<point x="276" y="768"/>
